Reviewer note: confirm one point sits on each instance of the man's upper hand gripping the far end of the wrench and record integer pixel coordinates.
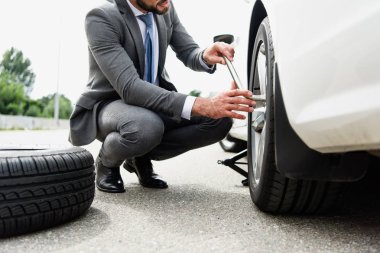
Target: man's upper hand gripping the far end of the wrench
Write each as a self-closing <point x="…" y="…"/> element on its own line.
<point x="214" y="54"/>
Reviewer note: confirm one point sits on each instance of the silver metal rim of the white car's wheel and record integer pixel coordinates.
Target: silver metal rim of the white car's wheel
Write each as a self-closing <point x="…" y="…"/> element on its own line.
<point x="258" y="124"/>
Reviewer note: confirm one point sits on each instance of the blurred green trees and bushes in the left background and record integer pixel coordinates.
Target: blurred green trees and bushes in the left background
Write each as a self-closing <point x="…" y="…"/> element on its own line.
<point x="16" y="83"/>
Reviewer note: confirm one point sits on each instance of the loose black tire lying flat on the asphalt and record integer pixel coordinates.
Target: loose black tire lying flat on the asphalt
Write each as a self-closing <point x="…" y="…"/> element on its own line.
<point x="43" y="188"/>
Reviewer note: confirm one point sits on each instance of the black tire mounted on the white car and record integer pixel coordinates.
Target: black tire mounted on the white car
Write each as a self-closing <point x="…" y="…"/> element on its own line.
<point x="269" y="189"/>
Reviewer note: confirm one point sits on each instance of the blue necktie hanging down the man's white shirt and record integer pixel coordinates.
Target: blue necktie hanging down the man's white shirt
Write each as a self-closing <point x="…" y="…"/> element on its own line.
<point x="149" y="57"/>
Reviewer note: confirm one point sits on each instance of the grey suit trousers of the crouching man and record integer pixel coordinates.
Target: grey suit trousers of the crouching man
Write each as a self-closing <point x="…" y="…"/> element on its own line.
<point x="128" y="131"/>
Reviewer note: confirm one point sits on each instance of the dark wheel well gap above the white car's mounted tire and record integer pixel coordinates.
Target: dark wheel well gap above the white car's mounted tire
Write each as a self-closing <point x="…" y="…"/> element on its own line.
<point x="258" y="14"/>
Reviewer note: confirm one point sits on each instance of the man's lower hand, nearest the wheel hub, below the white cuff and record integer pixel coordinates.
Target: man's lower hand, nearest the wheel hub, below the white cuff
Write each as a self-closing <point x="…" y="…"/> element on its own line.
<point x="225" y="104"/>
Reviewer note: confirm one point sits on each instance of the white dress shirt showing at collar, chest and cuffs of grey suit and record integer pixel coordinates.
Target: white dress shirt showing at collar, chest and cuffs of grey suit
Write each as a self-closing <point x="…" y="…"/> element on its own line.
<point x="189" y="102"/>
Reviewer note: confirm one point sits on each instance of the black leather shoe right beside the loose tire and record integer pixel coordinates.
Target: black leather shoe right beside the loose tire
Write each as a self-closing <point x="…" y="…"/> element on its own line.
<point x="108" y="179"/>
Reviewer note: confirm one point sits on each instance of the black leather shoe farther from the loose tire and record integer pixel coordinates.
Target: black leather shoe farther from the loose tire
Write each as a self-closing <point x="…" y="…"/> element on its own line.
<point x="144" y="171"/>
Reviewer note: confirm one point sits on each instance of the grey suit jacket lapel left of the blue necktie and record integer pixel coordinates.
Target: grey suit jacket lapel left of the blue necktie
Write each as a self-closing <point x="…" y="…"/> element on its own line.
<point x="134" y="29"/>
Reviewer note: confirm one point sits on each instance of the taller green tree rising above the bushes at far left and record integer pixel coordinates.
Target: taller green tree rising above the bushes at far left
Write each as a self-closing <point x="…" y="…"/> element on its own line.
<point x="17" y="66"/>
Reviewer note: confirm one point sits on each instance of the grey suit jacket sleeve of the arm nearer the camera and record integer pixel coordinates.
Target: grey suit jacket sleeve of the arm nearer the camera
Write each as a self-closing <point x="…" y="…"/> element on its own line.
<point x="104" y="37"/>
